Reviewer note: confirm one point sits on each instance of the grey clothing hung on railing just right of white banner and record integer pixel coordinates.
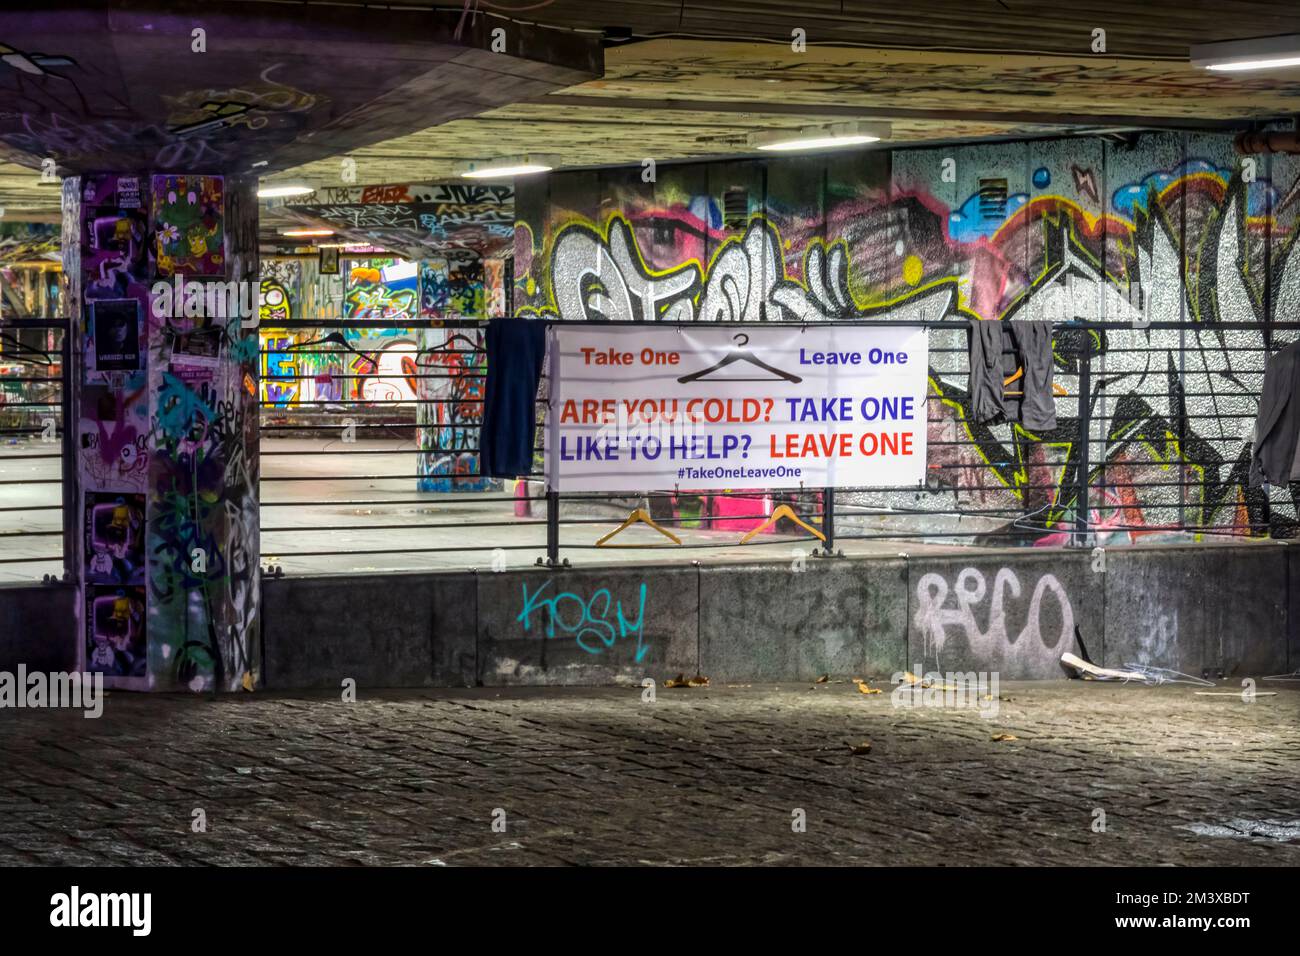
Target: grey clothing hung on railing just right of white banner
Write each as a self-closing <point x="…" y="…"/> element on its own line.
<point x="998" y="349"/>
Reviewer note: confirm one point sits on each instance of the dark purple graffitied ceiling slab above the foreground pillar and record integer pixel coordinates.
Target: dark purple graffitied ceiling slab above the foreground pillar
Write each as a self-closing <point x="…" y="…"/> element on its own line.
<point x="131" y="85"/>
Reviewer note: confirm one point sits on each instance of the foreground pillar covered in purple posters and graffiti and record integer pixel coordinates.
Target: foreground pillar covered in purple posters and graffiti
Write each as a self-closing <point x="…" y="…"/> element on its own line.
<point x="166" y="408"/>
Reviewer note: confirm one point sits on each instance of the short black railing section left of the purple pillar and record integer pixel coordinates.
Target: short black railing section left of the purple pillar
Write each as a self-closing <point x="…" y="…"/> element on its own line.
<point x="37" y="504"/>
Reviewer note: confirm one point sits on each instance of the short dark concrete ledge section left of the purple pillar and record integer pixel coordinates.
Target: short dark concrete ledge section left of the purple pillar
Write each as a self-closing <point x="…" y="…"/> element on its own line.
<point x="38" y="628"/>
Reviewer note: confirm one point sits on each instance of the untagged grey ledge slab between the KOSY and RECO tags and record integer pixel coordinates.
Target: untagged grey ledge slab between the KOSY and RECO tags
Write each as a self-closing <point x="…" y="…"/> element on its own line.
<point x="838" y="617"/>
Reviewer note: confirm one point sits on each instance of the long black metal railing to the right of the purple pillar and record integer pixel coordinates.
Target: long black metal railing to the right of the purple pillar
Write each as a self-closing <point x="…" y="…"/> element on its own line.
<point x="1137" y="455"/>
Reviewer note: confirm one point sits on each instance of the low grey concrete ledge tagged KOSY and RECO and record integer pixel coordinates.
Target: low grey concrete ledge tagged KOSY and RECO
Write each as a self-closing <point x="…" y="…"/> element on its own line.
<point x="1011" y="611"/>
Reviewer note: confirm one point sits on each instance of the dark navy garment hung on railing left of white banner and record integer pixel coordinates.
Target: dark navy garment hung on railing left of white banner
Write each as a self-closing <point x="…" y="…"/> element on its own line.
<point x="517" y="349"/>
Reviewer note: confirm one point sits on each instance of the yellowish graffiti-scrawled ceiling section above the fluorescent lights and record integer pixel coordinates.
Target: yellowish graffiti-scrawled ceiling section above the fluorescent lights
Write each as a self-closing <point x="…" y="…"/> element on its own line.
<point x="688" y="100"/>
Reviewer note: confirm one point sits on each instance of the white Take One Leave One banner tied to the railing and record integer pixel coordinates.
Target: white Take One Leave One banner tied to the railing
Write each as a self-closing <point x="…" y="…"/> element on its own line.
<point x="645" y="408"/>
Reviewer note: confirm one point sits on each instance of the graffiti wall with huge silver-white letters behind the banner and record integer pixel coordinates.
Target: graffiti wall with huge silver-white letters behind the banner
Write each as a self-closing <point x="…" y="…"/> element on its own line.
<point x="1155" y="230"/>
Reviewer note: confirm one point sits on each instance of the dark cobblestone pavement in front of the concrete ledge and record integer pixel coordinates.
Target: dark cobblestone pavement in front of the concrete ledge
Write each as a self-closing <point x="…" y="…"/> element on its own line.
<point x="705" y="776"/>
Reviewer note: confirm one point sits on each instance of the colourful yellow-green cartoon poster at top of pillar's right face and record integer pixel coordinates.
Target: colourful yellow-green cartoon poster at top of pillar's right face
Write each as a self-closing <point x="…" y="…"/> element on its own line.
<point x="189" y="226"/>
